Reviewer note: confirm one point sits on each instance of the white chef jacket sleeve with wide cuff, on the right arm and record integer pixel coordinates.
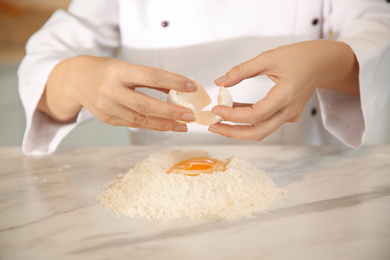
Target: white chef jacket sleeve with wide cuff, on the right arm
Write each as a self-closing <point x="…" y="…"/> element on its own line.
<point x="365" y="26"/>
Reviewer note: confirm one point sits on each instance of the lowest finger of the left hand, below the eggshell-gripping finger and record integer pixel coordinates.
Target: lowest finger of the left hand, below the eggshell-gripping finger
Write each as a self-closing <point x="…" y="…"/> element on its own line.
<point x="123" y="116"/>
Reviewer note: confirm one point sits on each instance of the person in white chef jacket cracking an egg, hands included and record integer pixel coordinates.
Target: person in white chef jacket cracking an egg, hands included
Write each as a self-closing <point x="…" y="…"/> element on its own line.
<point x="300" y="72"/>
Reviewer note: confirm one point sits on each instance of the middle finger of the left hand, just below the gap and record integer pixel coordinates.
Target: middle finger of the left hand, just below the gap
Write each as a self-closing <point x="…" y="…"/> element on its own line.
<point x="149" y="106"/>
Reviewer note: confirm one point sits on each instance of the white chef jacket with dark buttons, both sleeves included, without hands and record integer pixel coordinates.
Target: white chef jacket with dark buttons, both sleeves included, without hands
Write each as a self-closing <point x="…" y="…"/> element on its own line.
<point x="203" y="39"/>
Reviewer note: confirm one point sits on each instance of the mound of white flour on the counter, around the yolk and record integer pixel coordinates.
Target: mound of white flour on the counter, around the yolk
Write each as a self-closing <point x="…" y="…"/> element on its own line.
<point x="147" y="191"/>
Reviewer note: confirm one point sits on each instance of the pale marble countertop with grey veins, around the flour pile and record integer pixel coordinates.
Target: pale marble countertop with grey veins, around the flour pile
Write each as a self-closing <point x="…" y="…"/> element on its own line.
<point x="337" y="207"/>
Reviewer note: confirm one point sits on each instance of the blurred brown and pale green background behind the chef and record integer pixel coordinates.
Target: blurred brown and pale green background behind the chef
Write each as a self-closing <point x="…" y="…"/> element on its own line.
<point x="19" y="19"/>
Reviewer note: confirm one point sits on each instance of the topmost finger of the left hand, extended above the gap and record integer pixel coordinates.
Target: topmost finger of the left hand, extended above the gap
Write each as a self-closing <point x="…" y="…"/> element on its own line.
<point x="153" y="77"/>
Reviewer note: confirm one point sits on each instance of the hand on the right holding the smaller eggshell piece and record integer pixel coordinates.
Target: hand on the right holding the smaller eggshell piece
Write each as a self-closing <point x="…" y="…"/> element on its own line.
<point x="297" y="70"/>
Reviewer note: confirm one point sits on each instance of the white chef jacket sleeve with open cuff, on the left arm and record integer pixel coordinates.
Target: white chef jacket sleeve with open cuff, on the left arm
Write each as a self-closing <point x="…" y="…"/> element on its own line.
<point x="86" y="28"/>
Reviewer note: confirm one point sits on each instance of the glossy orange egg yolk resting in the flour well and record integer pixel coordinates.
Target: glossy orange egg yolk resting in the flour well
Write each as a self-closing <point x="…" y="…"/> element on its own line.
<point x="196" y="166"/>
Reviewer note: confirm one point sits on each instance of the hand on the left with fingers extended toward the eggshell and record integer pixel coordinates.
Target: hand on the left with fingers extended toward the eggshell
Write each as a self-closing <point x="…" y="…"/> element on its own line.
<point x="107" y="88"/>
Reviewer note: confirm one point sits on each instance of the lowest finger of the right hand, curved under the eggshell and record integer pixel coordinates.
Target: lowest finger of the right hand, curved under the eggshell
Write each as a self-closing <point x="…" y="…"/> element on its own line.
<point x="250" y="132"/>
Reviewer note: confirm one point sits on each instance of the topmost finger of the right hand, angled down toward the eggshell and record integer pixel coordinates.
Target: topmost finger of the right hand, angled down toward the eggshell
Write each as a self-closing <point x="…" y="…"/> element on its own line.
<point x="238" y="73"/>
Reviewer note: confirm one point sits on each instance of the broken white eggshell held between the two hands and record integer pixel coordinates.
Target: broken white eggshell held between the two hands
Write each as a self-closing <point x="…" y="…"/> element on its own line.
<point x="198" y="100"/>
